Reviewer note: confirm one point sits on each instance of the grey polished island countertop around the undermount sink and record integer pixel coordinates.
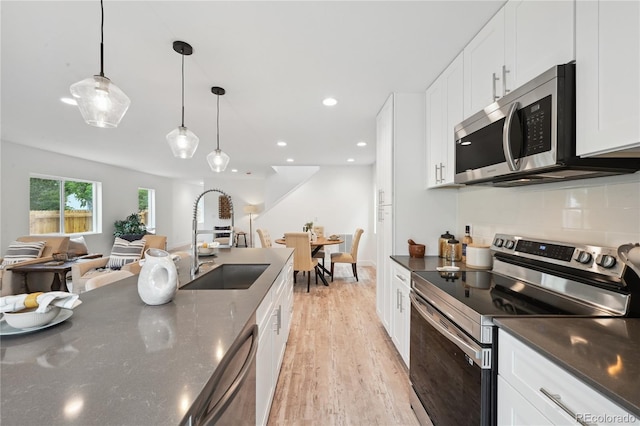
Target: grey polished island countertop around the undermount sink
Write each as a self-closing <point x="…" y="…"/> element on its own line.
<point x="119" y="361"/>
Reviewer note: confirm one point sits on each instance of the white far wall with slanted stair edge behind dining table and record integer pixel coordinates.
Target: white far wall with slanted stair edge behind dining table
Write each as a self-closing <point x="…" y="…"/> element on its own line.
<point x="340" y="198"/>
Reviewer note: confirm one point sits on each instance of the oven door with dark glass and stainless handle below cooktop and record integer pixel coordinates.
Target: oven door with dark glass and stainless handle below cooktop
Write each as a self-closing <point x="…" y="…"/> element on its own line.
<point x="450" y="373"/>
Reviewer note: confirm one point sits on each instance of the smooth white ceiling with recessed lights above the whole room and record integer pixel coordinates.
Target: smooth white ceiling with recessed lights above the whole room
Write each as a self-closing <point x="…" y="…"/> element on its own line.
<point x="277" y="60"/>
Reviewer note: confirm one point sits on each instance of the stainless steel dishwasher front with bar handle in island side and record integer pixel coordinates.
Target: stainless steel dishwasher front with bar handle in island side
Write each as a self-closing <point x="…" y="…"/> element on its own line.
<point x="229" y="397"/>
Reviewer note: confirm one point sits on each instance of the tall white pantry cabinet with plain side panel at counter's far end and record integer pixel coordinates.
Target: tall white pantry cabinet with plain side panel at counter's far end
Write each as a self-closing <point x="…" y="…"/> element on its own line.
<point x="411" y="212"/>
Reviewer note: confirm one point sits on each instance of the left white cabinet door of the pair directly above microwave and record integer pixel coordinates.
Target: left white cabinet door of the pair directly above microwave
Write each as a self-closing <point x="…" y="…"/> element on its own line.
<point x="483" y="61"/>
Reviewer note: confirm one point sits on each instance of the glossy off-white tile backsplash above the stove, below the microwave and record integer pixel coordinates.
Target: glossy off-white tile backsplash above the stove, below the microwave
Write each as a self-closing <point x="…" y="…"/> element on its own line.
<point x="602" y="211"/>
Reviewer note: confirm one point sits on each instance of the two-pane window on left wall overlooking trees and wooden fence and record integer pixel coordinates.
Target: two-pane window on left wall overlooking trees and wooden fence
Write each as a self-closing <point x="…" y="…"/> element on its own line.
<point x="63" y="206"/>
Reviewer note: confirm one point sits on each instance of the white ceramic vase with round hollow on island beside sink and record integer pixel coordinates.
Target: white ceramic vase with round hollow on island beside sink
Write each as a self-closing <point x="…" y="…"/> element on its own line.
<point x="158" y="279"/>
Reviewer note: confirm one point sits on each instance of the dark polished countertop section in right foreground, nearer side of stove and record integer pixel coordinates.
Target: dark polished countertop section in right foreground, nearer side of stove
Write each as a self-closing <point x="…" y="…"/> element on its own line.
<point x="603" y="353"/>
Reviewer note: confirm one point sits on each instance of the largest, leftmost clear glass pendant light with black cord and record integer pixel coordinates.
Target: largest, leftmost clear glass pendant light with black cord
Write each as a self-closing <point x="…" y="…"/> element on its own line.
<point x="101" y="103"/>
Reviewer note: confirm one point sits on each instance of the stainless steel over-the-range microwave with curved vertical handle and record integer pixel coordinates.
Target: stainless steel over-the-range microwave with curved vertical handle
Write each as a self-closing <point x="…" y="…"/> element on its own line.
<point x="529" y="137"/>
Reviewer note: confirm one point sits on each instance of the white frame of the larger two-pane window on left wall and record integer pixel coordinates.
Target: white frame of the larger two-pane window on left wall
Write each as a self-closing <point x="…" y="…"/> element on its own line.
<point x="97" y="204"/>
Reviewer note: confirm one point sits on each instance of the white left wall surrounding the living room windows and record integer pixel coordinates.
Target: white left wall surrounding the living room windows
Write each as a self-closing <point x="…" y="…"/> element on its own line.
<point x="119" y="194"/>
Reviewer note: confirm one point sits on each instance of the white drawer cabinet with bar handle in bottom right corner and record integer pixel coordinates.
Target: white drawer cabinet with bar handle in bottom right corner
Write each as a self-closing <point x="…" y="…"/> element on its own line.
<point x="544" y="387"/>
